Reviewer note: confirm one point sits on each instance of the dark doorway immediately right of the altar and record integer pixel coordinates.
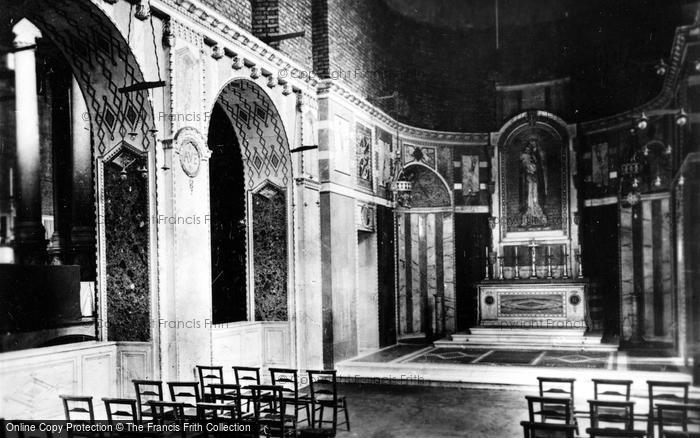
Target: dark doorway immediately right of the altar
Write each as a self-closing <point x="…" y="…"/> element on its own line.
<point x="600" y="241"/>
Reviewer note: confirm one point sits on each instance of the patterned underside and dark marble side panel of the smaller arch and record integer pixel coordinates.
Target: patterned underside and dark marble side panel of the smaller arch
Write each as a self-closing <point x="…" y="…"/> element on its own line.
<point x="267" y="168"/>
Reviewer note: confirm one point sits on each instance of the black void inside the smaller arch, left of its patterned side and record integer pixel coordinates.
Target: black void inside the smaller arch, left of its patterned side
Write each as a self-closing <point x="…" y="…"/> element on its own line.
<point x="228" y="222"/>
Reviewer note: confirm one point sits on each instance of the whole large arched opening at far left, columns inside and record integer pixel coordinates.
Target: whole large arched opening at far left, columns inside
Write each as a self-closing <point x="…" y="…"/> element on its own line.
<point x="74" y="228"/>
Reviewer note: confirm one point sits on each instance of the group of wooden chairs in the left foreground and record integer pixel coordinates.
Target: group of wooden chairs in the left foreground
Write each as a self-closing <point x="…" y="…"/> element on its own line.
<point x="247" y="398"/>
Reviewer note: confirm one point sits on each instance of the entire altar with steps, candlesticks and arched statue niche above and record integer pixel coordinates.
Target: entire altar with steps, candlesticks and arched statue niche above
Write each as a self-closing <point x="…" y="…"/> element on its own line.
<point x="534" y="291"/>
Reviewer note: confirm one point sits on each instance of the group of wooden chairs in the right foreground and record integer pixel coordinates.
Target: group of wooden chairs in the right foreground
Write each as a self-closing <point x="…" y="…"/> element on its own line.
<point x="611" y="411"/>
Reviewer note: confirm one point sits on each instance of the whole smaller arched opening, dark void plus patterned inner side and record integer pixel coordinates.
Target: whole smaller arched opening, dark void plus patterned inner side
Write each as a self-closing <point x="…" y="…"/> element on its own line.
<point x="250" y="175"/>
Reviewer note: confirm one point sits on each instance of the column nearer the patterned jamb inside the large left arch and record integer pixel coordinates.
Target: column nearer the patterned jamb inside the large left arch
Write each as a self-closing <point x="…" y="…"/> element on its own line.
<point x="82" y="200"/>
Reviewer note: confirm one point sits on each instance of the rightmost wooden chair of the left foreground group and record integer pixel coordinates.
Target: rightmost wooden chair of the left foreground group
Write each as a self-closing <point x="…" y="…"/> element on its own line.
<point x="324" y="394"/>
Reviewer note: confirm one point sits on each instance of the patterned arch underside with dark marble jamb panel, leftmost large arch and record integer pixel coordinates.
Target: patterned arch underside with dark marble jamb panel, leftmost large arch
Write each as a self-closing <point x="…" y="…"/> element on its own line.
<point x="122" y="132"/>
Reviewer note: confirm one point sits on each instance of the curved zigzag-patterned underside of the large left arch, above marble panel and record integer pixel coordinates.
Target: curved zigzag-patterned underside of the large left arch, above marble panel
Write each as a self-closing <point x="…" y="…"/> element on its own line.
<point x="102" y="62"/>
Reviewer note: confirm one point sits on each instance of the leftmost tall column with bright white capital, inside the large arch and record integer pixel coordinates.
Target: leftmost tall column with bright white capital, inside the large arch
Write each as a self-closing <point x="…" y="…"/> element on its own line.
<point x="30" y="243"/>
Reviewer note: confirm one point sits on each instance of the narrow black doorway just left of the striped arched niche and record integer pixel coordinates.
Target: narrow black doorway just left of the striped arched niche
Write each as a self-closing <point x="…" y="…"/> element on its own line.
<point x="386" y="291"/>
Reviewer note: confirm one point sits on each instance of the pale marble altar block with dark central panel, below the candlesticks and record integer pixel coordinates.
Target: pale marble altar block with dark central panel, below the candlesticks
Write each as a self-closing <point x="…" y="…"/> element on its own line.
<point x="542" y="305"/>
